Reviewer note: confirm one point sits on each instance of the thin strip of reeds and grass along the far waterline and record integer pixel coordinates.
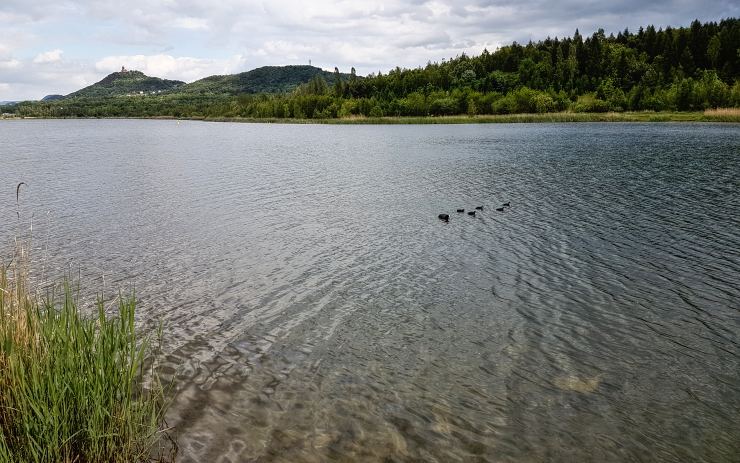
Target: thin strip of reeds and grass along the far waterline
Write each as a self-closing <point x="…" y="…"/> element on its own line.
<point x="731" y="115"/>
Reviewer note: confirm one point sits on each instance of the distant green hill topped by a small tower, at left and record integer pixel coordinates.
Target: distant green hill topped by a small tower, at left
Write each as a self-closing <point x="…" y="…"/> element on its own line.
<point x="127" y="83"/>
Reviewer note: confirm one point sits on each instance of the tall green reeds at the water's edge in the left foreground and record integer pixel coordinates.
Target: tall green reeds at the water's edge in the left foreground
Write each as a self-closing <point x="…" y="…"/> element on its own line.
<point x="72" y="386"/>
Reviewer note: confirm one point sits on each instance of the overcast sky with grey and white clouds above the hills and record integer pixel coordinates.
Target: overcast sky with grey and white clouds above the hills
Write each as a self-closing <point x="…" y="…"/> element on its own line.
<point x="58" y="46"/>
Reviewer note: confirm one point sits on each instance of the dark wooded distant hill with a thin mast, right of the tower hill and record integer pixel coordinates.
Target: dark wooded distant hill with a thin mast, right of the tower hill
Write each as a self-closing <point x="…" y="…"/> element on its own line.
<point x="267" y="79"/>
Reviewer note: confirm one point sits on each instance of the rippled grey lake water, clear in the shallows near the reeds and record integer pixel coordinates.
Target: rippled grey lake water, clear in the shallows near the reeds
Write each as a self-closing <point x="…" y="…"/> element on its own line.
<point x="315" y="308"/>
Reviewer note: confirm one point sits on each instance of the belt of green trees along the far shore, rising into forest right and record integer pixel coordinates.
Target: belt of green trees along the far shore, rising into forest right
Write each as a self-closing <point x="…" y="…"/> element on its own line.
<point x="674" y="69"/>
